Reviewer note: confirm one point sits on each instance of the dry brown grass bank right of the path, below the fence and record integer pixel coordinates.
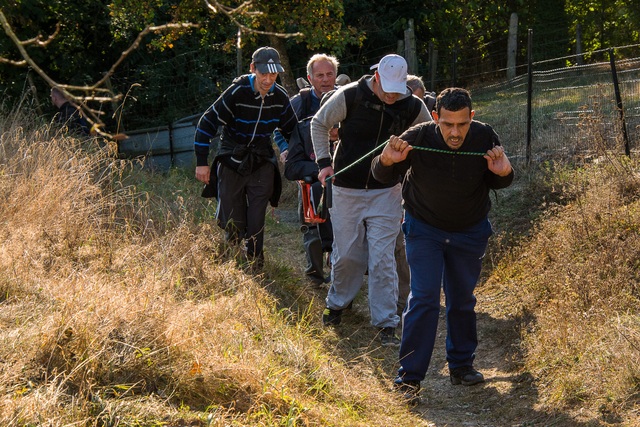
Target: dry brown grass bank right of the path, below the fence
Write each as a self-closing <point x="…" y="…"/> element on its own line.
<point x="574" y="285"/>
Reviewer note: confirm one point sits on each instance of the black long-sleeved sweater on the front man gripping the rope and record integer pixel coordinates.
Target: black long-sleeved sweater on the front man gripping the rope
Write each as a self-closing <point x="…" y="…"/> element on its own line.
<point x="447" y="190"/>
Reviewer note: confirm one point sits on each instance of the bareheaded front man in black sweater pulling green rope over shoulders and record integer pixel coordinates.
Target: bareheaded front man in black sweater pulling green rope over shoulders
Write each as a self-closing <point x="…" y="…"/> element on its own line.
<point x="451" y="164"/>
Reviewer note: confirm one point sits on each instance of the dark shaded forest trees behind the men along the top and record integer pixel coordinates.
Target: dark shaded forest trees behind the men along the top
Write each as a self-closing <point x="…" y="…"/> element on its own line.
<point x="179" y="71"/>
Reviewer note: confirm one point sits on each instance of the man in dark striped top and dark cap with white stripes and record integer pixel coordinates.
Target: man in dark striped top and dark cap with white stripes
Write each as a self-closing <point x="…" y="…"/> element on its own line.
<point x="244" y="175"/>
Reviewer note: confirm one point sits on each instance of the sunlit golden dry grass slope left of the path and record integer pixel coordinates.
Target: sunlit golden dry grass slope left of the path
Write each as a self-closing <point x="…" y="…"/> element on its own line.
<point x="122" y="306"/>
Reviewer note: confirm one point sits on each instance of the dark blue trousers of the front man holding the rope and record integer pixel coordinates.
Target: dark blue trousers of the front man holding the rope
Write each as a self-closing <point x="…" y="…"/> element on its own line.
<point x="451" y="261"/>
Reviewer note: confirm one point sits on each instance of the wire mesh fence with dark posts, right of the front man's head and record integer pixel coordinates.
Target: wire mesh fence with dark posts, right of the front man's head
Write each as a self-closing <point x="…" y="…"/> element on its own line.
<point x="572" y="111"/>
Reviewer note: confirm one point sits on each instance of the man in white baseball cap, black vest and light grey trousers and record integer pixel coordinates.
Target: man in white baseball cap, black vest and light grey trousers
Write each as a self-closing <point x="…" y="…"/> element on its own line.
<point x="365" y="213"/>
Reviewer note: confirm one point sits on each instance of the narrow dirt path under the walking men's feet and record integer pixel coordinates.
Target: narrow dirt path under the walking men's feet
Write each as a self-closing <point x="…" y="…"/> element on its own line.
<point x="508" y="398"/>
